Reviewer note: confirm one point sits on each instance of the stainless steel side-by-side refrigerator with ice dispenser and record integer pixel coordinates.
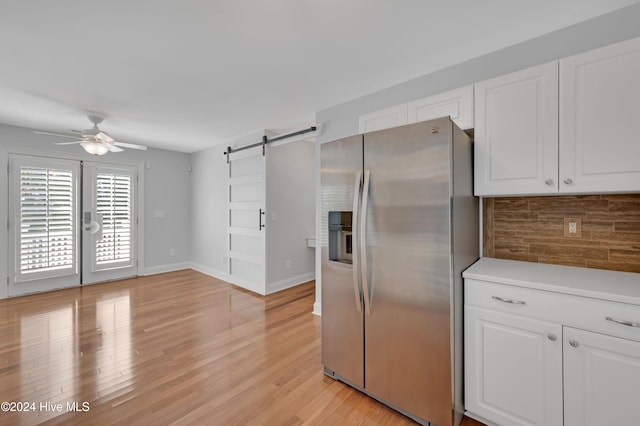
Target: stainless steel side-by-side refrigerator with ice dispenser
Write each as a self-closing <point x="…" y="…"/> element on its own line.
<point x="399" y="224"/>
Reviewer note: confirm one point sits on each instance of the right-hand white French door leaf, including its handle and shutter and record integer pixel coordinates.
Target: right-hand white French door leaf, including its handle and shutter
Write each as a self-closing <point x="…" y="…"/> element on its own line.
<point x="109" y="222"/>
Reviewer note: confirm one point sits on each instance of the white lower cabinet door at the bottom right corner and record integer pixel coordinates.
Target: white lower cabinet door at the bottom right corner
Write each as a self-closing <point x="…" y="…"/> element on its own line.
<point x="601" y="379"/>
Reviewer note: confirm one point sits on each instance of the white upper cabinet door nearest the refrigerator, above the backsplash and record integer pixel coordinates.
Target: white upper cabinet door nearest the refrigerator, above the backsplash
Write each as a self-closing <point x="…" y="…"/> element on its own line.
<point x="516" y="133"/>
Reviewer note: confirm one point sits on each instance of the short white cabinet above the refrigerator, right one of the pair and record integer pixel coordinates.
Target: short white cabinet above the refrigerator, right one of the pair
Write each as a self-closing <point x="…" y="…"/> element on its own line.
<point x="457" y="103"/>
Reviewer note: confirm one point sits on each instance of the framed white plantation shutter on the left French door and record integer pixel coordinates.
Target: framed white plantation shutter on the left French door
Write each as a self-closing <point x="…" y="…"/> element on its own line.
<point x="45" y="239"/>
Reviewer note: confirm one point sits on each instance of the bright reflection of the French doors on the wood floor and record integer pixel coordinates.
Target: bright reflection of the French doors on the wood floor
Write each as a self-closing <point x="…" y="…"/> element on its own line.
<point x="60" y="344"/>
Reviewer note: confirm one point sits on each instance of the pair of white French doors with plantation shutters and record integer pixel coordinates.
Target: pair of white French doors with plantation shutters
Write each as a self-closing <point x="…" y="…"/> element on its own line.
<point x="71" y="223"/>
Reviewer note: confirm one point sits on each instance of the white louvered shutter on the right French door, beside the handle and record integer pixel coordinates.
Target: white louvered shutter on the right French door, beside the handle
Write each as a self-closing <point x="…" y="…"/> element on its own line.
<point x="114" y="206"/>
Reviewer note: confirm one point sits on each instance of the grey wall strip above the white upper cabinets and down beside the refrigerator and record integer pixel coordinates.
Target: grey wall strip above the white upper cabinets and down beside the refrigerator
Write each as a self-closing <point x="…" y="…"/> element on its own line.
<point x="342" y="120"/>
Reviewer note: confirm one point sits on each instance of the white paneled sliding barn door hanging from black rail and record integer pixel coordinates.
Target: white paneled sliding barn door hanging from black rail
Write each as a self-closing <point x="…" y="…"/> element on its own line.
<point x="246" y="221"/>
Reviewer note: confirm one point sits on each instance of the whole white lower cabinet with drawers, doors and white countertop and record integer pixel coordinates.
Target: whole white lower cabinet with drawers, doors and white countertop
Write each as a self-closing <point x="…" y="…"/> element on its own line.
<point x="564" y="350"/>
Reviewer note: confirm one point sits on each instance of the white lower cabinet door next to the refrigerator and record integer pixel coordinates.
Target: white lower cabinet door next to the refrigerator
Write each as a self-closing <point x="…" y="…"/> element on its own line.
<point x="513" y="368"/>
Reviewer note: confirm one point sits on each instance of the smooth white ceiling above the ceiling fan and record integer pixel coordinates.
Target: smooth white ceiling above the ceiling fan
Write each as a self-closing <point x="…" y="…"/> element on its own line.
<point x="189" y="74"/>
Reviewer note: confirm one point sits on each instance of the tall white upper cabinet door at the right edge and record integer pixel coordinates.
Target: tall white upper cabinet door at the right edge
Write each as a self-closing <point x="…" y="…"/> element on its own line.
<point x="599" y="110"/>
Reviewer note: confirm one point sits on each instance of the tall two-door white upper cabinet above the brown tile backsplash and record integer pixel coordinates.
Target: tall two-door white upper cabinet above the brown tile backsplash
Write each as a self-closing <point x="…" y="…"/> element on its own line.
<point x="529" y="140"/>
